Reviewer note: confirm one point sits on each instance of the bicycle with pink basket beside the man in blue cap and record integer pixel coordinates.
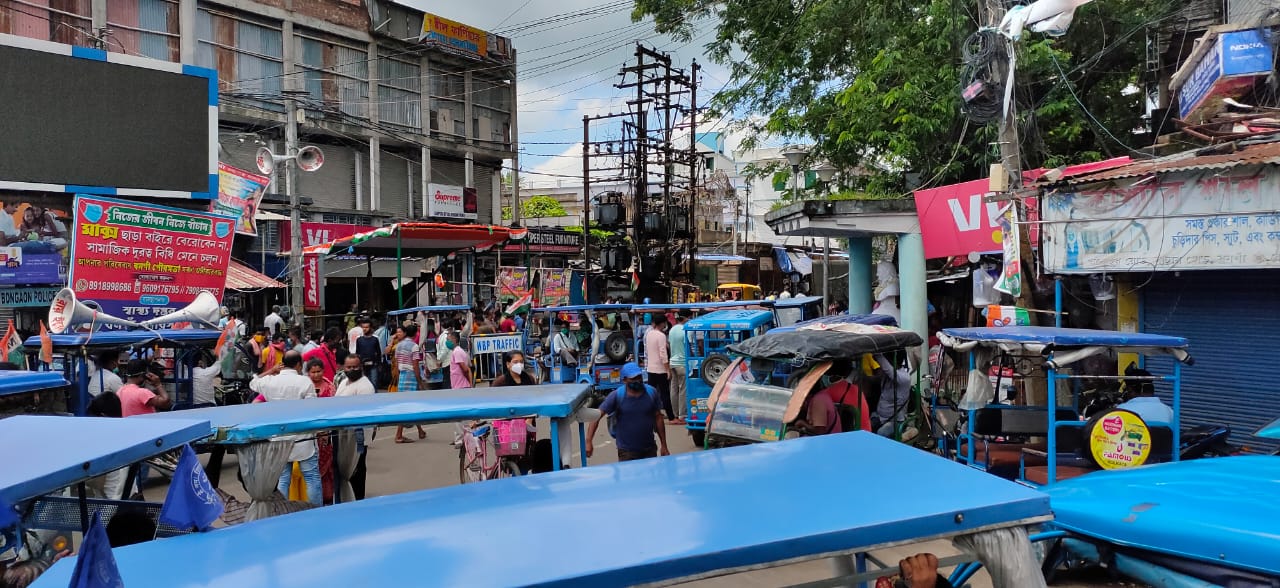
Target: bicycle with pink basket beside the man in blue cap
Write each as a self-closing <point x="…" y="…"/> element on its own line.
<point x="510" y="443"/>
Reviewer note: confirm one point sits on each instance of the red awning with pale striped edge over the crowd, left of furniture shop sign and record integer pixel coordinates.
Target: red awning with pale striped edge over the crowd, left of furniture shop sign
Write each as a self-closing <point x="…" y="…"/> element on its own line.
<point x="419" y="240"/>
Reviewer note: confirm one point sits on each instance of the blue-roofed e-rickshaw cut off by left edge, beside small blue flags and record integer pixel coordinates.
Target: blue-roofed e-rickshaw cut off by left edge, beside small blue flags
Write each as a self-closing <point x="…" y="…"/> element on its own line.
<point x="39" y="484"/>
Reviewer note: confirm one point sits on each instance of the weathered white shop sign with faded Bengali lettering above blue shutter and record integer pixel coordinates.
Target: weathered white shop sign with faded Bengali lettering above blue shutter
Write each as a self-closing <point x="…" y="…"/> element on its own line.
<point x="1182" y="224"/>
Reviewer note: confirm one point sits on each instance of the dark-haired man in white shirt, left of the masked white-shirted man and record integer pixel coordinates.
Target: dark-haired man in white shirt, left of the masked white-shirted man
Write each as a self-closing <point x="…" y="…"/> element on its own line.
<point x="286" y="382"/>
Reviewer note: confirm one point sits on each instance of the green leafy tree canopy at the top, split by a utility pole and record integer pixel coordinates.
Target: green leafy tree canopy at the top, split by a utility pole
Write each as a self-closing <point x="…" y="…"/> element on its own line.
<point x="876" y="84"/>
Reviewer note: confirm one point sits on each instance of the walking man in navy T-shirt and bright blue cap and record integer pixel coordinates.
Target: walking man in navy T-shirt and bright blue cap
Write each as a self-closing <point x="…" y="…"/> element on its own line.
<point x="636" y="414"/>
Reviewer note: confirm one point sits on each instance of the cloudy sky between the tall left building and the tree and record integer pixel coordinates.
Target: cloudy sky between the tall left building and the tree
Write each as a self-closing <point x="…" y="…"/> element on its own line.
<point x="568" y="69"/>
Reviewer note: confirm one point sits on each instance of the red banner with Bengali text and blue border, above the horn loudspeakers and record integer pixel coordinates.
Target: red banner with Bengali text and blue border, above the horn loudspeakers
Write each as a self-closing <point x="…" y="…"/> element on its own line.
<point x="141" y="261"/>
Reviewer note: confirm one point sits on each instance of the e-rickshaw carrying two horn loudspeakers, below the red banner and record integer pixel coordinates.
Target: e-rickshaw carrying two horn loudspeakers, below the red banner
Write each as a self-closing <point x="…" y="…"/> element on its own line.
<point x="182" y="347"/>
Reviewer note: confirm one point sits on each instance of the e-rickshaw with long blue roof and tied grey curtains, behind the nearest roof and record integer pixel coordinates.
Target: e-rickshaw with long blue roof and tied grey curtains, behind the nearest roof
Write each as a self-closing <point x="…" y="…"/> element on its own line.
<point x="254" y="431"/>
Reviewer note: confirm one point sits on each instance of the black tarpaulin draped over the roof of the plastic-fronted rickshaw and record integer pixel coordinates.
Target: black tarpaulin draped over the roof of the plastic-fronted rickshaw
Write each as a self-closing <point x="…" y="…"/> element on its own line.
<point x="825" y="345"/>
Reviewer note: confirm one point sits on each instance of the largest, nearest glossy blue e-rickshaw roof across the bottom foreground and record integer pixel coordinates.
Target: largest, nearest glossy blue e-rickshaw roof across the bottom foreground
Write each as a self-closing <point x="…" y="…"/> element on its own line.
<point x="650" y="522"/>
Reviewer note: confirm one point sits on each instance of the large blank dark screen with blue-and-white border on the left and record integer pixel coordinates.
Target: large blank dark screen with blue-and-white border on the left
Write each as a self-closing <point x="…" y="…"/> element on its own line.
<point x="85" y="121"/>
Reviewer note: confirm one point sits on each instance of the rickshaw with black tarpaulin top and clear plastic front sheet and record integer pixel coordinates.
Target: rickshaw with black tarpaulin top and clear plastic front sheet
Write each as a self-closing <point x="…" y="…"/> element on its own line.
<point x="762" y="394"/>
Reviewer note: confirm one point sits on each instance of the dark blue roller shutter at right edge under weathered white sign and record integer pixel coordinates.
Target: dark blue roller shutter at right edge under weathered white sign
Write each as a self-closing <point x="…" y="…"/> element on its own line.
<point x="1231" y="321"/>
